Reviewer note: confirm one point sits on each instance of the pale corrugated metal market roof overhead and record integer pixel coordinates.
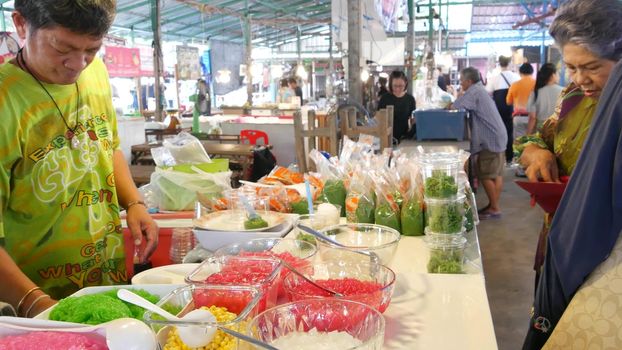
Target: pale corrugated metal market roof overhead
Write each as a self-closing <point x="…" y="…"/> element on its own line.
<point x="275" y="22"/>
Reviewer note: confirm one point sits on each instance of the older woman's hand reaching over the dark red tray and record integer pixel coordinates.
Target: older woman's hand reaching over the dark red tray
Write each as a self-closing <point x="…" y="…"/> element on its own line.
<point x="539" y="163"/>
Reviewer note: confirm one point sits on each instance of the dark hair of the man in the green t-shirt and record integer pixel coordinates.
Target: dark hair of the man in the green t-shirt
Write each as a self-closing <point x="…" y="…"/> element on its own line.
<point x="92" y="17"/>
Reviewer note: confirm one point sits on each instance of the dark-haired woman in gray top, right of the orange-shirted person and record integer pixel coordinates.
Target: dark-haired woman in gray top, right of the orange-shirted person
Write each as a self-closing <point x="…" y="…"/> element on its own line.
<point x="542" y="100"/>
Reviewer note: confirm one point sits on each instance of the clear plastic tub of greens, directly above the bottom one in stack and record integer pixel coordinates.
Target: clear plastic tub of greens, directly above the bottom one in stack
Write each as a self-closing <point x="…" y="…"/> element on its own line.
<point x="444" y="215"/>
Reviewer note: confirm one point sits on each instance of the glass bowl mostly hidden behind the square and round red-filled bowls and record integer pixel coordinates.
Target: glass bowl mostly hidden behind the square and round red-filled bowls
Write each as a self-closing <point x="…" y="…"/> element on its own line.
<point x="297" y="253"/>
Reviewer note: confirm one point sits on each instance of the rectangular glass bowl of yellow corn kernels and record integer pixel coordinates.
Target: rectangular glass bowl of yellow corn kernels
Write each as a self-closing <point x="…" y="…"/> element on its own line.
<point x="232" y="306"/>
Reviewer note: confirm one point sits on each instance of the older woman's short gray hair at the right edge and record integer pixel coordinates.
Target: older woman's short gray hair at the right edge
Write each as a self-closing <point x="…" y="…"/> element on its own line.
<point x="595" y="25"/>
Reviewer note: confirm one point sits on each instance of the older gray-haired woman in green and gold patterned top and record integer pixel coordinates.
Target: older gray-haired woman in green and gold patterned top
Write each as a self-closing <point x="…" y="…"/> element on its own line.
<point x="589" y="57"/>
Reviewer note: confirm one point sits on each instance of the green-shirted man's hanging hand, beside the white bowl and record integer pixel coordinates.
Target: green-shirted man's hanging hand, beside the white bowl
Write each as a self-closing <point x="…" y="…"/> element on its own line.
<point x="141" y="224"/>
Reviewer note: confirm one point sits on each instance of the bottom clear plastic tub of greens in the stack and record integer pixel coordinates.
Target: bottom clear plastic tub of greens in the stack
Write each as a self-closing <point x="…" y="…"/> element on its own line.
<point x="446" y="253"/>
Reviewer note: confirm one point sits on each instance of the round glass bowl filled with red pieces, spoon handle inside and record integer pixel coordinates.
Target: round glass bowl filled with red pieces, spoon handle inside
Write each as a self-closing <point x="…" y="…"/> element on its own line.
<point x="368" y="283"/>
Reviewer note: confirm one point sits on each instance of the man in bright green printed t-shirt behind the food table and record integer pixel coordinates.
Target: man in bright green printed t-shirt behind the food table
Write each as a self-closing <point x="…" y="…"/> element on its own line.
<point x="63" y="177"/>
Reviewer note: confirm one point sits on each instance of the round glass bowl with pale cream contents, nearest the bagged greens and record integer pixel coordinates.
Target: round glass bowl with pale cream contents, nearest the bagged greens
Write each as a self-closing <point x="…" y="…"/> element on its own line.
<point x="376" y="241"/>
